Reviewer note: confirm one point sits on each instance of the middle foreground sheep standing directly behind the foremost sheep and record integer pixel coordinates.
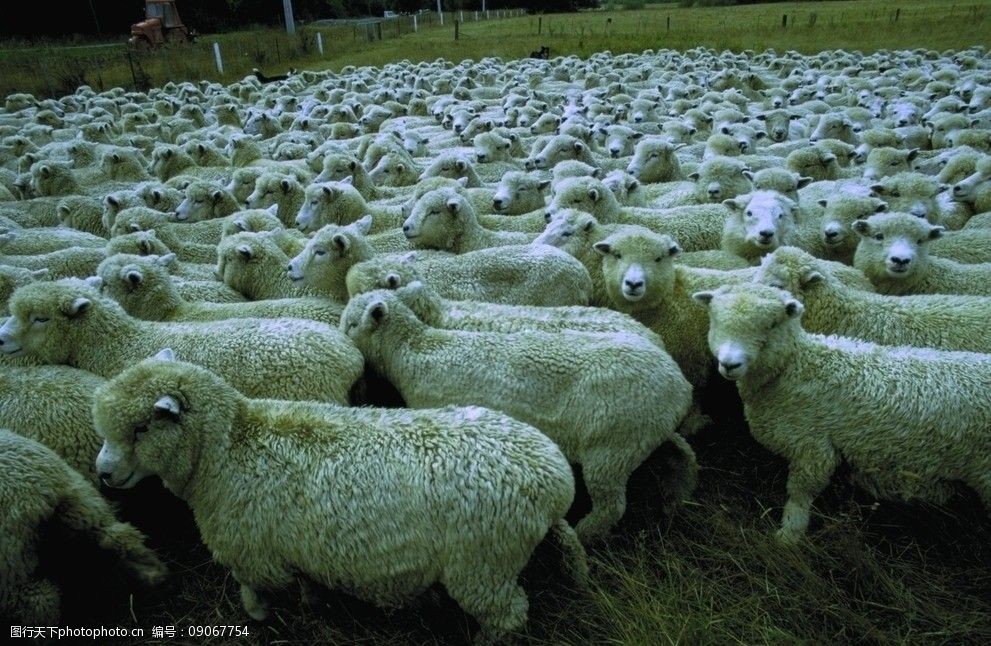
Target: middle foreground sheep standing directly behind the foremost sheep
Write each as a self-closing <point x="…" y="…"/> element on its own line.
<point x="526" y="376"/>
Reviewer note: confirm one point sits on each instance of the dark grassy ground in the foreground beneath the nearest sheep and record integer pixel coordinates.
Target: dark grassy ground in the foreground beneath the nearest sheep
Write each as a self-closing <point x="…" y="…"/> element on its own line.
<point x="869" y="573"/>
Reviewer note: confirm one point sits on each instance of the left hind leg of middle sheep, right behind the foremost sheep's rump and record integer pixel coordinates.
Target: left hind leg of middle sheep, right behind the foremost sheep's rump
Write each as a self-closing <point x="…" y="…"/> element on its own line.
<point x="605" y="479"/>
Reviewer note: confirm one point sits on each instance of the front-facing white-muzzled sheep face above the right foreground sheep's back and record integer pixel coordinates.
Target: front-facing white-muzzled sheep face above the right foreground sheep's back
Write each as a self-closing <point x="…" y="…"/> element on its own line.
<point x="893" y="245"/>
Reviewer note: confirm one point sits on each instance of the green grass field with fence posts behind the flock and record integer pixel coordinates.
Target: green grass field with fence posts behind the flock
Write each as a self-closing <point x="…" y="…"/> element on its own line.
<point x="866" y="25"/>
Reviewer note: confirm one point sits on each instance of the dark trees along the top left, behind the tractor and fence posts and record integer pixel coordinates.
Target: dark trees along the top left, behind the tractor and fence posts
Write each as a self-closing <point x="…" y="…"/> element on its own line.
<point x="113" y="17"/>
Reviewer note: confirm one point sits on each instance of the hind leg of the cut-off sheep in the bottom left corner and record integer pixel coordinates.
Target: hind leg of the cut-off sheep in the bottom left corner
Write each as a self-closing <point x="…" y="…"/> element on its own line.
<point x="83" y="510"/>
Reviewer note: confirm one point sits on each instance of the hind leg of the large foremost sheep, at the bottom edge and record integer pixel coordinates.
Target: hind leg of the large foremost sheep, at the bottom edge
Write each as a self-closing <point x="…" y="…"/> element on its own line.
<point x="483" y="591"/>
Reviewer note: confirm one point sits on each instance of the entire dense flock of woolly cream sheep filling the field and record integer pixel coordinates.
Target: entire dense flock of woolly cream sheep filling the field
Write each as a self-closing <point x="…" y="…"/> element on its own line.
<point x="547" y="259"/>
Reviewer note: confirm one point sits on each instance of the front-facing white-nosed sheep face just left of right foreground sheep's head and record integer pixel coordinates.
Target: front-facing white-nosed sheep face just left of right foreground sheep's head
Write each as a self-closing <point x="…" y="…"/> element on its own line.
<point x="637" y="266"/>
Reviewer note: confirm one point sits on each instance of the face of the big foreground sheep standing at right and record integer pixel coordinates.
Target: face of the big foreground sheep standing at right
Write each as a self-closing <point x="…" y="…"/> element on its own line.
<point x="746" y="321"/>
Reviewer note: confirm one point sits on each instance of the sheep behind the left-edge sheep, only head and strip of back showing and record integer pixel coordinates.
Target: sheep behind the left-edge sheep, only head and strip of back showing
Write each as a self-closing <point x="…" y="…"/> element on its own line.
<point x="143" y="287"/>
